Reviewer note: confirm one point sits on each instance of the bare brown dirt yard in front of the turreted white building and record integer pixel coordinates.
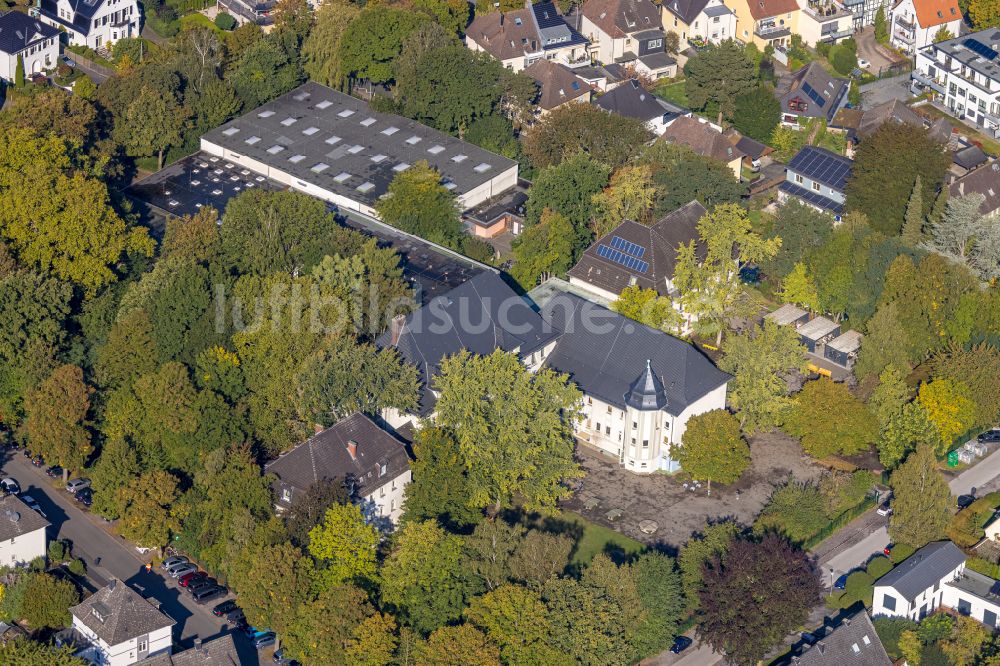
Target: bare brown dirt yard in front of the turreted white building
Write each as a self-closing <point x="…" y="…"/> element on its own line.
<point x="679" y="512"/>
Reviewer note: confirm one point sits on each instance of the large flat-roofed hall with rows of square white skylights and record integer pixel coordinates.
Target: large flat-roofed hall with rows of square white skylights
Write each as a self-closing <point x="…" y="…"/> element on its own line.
<point x="333" y="146"/>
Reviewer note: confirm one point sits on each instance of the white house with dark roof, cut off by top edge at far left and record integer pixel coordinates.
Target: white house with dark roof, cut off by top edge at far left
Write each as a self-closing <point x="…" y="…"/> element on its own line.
<point x="93" y="23"/>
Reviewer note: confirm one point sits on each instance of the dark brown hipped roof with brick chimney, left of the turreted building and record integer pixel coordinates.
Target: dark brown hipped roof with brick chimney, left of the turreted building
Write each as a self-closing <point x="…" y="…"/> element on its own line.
<point x="326" y="456"/>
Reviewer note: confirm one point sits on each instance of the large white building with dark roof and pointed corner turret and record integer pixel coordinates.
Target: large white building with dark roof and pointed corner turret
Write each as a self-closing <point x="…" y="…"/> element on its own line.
<point x="640" y="385"/>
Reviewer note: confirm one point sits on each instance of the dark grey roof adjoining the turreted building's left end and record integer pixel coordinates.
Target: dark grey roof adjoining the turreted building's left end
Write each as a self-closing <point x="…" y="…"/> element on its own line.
<point x="480" y="316"/>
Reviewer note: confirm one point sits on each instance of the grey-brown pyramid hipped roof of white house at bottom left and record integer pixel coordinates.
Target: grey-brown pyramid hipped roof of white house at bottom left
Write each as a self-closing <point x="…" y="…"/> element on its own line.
<point x="126" y="615"/>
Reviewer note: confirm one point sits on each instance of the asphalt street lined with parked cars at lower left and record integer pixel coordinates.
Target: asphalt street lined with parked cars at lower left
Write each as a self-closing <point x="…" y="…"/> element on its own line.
<point x="107" y="556"/>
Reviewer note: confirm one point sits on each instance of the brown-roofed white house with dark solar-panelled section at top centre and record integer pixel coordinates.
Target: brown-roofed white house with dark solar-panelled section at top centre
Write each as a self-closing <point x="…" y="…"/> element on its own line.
<point x="524" y="36"/>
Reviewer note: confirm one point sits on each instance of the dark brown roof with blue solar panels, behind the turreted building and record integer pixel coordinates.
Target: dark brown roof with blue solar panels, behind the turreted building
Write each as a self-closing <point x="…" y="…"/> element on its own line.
<point x="660" y="242"/>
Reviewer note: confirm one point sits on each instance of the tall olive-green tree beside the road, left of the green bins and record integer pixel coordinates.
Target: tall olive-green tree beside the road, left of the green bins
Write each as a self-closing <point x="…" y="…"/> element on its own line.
<point x="921" y="508"/>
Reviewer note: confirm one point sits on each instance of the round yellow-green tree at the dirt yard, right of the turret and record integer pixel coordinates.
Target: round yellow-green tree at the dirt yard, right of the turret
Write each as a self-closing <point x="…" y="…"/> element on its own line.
<point x="713" y="448"/>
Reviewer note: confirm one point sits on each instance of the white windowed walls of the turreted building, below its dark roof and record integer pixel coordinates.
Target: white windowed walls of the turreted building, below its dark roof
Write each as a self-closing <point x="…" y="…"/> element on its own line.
<point x="643" y="441"/>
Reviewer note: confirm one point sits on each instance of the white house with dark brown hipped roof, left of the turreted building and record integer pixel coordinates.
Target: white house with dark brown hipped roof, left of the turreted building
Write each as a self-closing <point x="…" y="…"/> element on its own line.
<point x="373" y="464"/>
